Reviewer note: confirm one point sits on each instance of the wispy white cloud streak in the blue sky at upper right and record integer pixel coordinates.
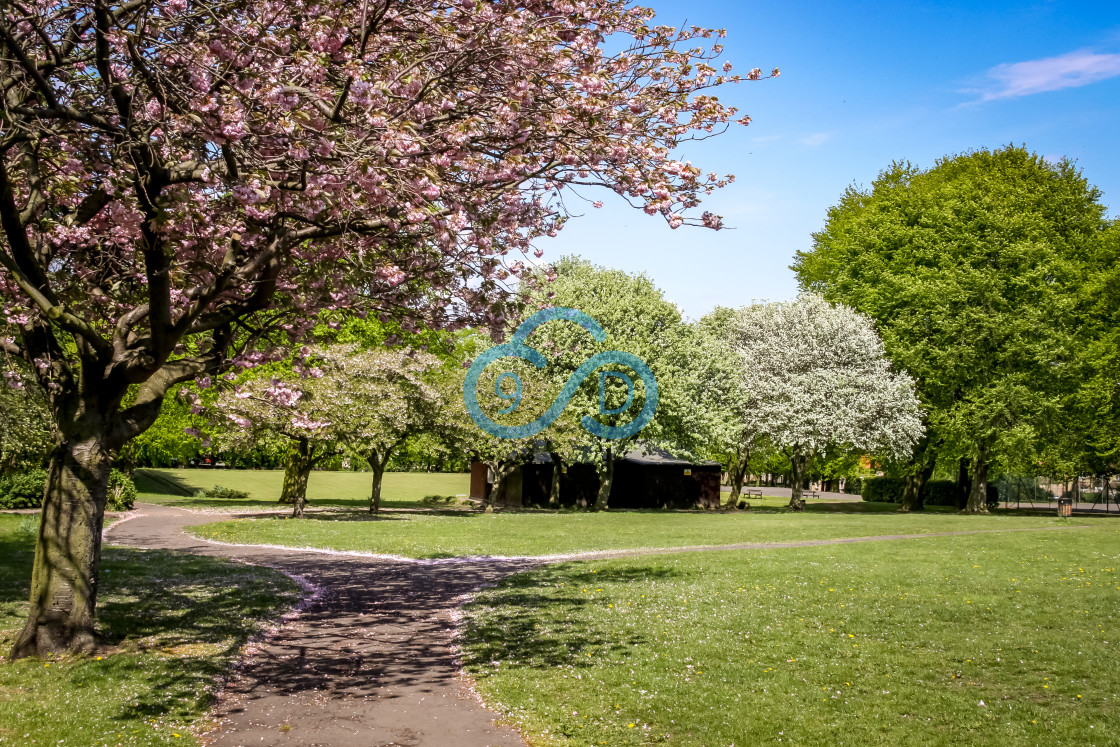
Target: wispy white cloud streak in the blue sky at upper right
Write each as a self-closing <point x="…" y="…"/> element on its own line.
<point x="1069" y="71"/>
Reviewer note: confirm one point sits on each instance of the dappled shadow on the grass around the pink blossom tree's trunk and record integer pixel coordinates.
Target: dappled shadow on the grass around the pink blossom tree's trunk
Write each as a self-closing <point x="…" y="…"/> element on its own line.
<point x="169" y="624"/>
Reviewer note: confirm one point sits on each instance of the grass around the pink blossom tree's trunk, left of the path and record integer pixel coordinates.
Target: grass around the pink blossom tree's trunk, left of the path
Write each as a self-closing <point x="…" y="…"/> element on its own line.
<point x="172" y="627"/>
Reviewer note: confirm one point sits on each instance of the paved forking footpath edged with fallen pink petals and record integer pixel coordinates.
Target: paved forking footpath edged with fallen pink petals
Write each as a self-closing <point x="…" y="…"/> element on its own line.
<point x="369" y="662"/>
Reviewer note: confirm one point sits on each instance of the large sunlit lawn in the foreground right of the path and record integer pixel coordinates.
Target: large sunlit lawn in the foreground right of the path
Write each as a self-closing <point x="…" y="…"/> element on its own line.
<point x="986" y="640"/>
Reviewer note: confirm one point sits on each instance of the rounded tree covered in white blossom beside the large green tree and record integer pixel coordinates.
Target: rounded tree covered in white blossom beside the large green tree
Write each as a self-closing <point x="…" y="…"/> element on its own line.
<point x="817" y="377"/>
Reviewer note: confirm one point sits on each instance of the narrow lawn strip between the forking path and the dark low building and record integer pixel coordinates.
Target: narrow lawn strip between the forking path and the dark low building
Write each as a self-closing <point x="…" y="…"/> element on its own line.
<point x="538" y="534"/>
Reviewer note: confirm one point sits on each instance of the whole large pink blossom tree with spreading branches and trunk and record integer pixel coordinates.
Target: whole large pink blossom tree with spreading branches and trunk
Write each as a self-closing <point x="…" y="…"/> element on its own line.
<point x="180" y="182"/>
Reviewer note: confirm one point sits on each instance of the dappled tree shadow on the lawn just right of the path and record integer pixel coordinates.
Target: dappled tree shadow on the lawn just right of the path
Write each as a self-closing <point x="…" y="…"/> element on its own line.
<point x="529" y="622"/>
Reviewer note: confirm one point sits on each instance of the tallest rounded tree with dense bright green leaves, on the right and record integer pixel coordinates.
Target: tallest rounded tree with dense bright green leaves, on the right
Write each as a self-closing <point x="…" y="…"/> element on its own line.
<point x="972" y="272"/>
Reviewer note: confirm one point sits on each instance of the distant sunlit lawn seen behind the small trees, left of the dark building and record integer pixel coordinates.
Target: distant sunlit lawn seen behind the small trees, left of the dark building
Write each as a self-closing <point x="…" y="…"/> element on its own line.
<point x="325" y="489"/>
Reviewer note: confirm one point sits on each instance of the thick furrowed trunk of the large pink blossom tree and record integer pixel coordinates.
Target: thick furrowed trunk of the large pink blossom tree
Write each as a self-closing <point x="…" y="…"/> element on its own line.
<point x="64" y="580"/>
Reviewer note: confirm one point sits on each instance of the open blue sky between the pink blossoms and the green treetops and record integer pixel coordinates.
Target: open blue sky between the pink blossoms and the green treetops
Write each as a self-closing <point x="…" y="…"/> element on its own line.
<point x="864" y="85"/>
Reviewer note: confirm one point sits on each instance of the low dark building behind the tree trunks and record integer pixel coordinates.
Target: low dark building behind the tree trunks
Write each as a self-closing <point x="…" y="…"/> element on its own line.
<point x="647" y="478"/>
